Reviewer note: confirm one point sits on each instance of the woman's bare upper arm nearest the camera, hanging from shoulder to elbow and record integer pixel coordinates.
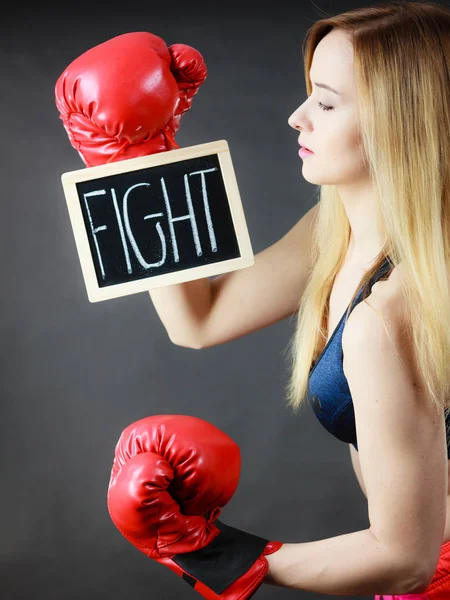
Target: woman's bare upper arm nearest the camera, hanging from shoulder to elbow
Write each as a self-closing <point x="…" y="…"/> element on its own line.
<point x="401" y="435"/>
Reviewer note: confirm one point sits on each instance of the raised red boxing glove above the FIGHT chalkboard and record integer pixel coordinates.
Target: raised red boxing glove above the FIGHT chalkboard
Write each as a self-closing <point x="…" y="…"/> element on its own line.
<point x="125" y="97"/>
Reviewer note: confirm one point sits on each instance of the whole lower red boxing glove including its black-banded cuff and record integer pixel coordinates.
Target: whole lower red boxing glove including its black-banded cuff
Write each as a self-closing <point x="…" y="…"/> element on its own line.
<point x="170" y="478"/>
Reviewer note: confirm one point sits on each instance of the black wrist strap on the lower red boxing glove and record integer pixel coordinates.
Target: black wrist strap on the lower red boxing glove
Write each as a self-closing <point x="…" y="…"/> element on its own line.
<point x="229" y="556"/>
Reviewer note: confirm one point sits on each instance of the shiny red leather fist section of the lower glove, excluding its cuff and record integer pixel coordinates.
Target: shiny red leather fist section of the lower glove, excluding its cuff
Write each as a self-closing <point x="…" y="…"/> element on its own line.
<point x="169" y="471"/>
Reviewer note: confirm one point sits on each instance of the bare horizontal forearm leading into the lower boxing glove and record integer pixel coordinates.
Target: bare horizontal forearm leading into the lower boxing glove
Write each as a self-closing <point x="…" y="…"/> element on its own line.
<point x="351" y="564"/>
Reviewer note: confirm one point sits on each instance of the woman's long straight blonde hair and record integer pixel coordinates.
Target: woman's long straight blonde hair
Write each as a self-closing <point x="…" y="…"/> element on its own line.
<point x="402" y="66"/>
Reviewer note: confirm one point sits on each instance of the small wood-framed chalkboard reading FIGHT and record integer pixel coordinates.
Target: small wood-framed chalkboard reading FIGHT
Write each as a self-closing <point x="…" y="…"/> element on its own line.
<point x="157" y="220"/>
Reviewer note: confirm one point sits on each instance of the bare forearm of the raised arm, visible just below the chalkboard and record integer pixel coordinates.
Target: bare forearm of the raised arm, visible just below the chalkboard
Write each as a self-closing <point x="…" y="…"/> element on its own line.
<point x="183" y="309"/>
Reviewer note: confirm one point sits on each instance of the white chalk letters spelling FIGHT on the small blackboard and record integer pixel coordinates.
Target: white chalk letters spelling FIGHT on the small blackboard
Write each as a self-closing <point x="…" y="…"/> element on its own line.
<point x="126" y="231"/>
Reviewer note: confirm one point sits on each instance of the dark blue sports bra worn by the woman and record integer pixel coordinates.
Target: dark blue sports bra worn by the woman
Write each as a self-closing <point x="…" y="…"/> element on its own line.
<point x="328" y="391"/>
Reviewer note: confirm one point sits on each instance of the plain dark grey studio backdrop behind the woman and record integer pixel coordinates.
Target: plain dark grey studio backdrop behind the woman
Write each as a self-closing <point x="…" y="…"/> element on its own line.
<point x="75" y="374"/>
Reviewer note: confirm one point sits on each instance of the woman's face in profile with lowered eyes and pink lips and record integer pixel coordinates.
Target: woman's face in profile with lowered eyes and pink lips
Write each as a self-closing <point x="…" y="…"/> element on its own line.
<point x="327" y="120"/>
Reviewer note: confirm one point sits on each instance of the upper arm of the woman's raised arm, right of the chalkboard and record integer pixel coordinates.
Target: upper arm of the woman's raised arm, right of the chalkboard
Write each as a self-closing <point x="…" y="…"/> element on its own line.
<point x="270" y="290"/>
